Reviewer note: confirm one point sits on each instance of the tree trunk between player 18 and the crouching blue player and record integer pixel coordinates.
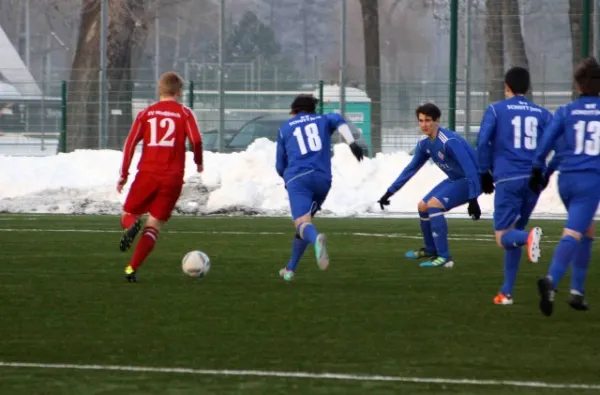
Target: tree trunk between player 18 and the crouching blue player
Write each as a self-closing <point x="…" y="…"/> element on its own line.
<point x="370" y="14"/>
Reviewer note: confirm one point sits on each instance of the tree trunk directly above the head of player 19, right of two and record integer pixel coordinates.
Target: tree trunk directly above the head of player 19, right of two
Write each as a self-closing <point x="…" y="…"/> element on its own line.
<point x="514" y="36"/>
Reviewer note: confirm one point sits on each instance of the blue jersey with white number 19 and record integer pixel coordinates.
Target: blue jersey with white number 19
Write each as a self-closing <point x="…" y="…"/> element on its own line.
<point x="508" y="137"/>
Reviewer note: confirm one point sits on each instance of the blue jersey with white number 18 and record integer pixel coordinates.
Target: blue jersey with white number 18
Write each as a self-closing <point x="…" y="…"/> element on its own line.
<point x="303" y="144"/>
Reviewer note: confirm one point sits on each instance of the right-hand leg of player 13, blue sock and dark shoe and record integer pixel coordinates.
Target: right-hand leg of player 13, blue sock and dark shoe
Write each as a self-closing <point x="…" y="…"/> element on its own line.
<point x="579" y="270"/>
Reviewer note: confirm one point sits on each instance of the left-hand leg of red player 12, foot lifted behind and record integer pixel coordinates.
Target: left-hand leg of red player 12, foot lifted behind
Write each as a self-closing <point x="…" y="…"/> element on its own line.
<point x="137" y="203"/>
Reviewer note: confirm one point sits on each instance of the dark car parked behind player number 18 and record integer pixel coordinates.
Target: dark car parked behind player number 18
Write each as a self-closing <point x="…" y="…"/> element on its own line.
<point x="268" y="126"/>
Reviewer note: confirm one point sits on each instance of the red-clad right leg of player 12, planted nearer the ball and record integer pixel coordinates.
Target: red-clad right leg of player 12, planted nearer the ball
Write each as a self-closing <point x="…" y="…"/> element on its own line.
<point x="160" y="212"/>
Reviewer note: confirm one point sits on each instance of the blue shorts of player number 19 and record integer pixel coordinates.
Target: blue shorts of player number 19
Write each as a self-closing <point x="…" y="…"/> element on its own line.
<point x="513" y="204"/>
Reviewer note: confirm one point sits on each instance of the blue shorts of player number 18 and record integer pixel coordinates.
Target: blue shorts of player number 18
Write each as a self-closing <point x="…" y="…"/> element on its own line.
<point x="307" y="193"/>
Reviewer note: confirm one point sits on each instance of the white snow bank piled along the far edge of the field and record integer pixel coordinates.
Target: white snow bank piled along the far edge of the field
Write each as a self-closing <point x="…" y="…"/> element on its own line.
<point x="246" y="182"/>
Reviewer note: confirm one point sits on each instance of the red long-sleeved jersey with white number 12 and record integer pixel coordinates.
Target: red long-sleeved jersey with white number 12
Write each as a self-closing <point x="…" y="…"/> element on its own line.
<point x="164" y="127"/>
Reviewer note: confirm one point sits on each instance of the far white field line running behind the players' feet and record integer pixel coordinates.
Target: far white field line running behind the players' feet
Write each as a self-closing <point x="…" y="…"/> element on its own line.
<point x="458" y="237"/>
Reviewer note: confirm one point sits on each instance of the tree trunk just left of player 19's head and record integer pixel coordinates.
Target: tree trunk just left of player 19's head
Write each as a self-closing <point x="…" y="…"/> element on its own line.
<point x="494" y="50"/>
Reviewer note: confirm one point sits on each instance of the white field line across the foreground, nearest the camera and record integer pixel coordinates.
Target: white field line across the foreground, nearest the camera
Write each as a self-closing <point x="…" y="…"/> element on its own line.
<point x="304" y="375"/>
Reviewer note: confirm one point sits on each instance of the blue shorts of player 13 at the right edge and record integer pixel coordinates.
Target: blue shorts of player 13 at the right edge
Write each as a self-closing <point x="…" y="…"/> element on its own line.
<point x="580" y="193"/>
